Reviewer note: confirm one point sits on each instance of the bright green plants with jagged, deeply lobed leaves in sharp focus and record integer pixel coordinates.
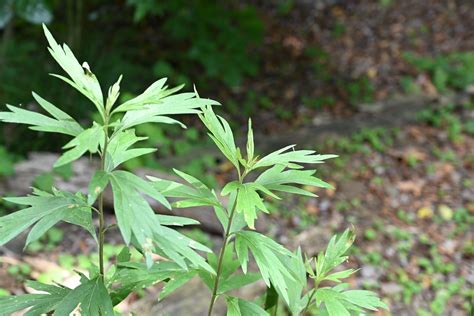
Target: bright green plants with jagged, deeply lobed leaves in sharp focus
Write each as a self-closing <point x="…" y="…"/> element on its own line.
<point x="112" y="138"/>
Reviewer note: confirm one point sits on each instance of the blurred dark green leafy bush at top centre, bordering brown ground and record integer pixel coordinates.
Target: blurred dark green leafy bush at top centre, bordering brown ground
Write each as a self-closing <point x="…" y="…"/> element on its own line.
<point x="234" y="31"/>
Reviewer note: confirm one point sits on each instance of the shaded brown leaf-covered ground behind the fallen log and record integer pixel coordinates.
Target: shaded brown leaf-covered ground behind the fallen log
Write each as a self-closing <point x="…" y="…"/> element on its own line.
<point x="327" y="56"/>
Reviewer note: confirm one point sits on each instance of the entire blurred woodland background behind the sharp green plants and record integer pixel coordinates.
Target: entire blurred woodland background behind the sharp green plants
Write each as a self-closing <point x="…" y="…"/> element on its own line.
<point x="388" y="85"/>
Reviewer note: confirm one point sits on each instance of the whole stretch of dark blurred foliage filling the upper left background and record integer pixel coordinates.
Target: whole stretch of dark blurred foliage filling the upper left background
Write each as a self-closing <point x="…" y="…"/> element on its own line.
<point x="212" y="46"/>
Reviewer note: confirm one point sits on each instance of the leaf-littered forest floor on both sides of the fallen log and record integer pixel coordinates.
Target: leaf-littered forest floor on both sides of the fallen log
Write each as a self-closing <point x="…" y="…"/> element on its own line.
<point x="408" y="192"/>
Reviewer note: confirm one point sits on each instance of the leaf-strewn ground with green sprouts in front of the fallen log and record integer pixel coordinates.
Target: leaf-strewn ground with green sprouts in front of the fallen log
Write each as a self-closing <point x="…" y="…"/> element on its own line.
<point x="409" y="193"/>
